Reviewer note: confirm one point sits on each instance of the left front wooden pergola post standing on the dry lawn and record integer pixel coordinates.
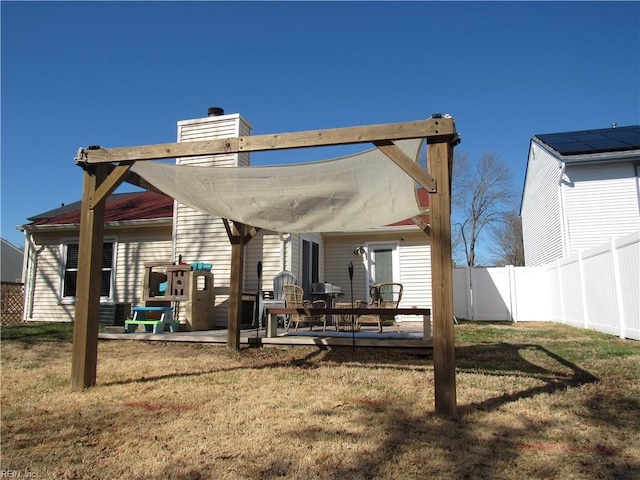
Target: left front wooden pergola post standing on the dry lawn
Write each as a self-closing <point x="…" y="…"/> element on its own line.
<point x="87" y="315"/>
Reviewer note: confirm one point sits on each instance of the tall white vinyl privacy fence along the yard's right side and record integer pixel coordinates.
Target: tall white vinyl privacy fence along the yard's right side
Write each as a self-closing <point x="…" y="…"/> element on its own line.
<point x="598" y="289"/>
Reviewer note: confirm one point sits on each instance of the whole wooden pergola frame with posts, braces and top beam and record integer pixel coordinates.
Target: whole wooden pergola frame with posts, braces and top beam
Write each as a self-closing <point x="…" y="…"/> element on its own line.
<point x="106" y="168"/>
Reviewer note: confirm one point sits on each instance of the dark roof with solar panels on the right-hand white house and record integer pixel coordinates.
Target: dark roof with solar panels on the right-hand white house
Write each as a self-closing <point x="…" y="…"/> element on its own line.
<point x="604" y="140"/>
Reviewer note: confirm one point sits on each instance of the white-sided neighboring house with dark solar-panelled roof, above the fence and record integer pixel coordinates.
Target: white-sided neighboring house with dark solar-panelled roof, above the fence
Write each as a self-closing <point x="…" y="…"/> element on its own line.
<point x="581" y="189"/>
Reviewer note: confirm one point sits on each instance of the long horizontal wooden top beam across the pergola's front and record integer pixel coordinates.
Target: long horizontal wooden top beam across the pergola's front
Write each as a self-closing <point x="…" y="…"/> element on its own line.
<point x="433" y="128"/>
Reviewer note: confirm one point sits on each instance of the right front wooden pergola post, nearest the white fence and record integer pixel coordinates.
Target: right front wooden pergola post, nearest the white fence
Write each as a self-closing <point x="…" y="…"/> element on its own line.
<point x="439" y="159"/>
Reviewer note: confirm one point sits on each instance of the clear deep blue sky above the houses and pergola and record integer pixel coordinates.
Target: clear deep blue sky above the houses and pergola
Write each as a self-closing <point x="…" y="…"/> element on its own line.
<point x="120" y="74"/>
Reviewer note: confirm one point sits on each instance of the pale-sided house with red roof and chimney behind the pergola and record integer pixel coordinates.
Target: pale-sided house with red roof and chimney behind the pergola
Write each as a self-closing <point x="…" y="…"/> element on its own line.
<point x="147" y="227"/>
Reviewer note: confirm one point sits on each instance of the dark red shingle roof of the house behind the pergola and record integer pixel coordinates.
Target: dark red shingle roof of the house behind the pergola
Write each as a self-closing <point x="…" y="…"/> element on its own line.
<point x="120" y="207"/>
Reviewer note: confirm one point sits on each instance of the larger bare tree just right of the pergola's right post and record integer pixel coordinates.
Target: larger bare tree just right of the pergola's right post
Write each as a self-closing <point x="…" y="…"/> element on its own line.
<point x="482" y="195"/>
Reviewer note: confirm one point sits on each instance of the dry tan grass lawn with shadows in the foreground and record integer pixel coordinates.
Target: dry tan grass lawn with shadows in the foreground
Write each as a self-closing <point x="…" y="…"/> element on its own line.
<point x="535" y="401"/>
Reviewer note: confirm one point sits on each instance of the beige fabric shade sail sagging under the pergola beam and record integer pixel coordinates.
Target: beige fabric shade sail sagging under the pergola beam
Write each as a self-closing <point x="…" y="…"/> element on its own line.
<point x="357" y="192"/>
